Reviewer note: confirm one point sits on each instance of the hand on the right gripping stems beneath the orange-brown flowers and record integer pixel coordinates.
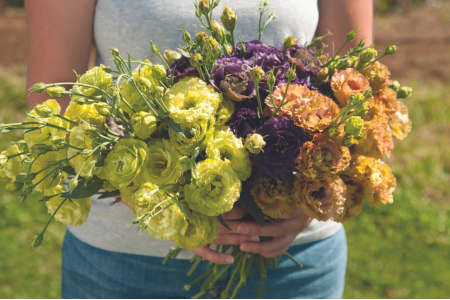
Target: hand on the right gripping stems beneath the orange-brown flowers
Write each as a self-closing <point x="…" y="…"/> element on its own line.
<point x="283" y="233"/>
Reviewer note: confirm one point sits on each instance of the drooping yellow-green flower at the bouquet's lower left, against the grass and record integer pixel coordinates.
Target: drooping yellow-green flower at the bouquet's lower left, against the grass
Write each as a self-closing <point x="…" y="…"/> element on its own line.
<point x="72" y="212"/>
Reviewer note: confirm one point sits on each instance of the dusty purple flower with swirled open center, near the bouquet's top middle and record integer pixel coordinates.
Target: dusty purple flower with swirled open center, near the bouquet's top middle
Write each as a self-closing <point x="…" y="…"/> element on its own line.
<point x="233" y="80"/>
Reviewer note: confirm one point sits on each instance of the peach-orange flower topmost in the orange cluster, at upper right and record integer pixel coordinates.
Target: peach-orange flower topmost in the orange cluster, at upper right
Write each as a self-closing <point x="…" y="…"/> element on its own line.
<point x="347" y="82"/>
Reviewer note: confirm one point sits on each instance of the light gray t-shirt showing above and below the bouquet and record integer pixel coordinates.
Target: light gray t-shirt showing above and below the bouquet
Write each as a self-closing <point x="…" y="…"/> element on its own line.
<point x="129" y="25"/>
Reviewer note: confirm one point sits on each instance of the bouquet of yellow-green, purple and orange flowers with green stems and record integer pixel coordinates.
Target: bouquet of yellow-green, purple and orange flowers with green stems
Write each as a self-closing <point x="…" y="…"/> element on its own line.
<point x="217" y="123"/>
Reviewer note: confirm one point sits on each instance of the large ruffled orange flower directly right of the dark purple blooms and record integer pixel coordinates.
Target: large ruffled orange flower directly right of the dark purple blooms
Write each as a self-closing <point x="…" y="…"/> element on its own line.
<point x="311" y="110"/>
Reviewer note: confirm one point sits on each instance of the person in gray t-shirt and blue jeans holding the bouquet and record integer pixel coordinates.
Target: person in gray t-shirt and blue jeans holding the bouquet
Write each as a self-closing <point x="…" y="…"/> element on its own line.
<point x="104" y="259"/>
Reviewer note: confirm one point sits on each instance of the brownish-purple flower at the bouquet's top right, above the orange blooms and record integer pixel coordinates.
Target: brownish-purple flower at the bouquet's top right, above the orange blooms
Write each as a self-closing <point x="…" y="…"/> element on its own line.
<point x="305" y="59"/>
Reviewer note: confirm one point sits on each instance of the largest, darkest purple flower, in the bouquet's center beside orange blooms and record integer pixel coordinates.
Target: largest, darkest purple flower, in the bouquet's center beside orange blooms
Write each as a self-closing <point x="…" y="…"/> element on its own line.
<point x="283" y="141"/>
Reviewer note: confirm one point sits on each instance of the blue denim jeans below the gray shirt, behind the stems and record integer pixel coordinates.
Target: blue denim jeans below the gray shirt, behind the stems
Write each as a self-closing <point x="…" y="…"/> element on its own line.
<point x="89" y="272"/>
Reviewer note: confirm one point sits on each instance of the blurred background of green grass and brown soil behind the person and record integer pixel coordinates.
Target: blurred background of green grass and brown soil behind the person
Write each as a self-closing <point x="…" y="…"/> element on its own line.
<point x="395" y="251"/>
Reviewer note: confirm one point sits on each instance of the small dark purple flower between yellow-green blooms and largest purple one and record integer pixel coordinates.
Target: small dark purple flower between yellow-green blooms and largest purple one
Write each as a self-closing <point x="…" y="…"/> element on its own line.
<point x="244" y="121"/>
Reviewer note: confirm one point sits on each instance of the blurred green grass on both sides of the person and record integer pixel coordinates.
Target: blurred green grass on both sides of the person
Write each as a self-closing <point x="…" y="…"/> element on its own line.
<point x="395" y="251"/>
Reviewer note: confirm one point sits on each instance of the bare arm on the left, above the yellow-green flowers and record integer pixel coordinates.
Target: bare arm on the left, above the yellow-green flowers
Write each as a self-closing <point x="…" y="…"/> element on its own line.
<point x="59" y="41"/>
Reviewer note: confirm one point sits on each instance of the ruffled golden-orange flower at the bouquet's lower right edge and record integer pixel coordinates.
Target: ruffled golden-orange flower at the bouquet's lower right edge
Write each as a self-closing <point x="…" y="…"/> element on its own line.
<point x="375" y="177"/>
